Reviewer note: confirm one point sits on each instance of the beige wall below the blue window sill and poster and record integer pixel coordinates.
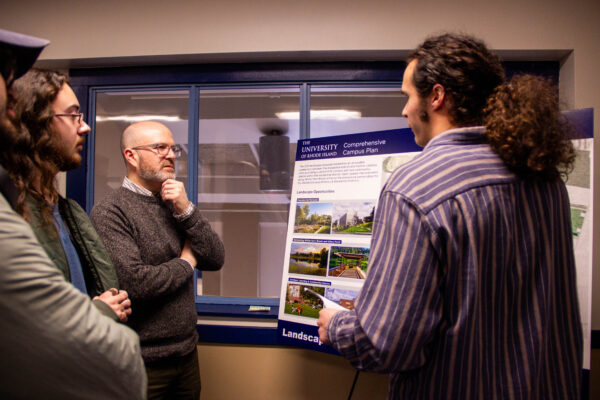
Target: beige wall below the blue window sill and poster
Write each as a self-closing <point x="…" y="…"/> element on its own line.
<point x="259" y="373"/>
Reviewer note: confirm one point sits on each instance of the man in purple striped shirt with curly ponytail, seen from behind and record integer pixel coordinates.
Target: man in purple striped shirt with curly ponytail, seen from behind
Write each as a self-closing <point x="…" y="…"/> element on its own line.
<point x="471" y="291"/>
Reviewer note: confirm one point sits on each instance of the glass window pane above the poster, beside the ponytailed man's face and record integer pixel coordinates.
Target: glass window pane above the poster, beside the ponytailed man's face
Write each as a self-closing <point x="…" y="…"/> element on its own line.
<point x="342" y="111"/>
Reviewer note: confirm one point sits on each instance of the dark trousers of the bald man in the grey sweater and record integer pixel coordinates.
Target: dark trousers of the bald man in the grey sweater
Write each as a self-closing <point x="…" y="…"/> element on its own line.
<point x="175" y="378"/>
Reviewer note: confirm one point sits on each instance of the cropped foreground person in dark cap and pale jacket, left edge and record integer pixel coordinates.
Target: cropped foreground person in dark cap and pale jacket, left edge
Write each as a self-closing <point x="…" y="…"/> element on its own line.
<point x="54" y="343"/>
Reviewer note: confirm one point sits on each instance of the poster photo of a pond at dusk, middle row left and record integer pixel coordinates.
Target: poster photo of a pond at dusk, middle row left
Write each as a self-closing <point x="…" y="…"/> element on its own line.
<point x="309" y="259"/>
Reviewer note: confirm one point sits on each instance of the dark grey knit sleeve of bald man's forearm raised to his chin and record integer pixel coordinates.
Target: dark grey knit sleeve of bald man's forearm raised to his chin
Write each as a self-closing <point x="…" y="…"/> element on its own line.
<point x="206" y="244"/>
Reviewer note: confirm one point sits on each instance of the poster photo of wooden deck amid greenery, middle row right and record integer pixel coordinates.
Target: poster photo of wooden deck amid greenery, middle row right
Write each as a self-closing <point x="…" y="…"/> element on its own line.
<point x="348" y="262"/>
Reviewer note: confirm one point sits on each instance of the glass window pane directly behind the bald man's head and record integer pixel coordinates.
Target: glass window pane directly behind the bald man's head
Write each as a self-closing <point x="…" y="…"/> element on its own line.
<point x="117" y="110"/>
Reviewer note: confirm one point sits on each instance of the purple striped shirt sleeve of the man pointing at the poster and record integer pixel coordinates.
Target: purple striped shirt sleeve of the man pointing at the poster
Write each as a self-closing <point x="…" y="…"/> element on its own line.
<point x="399" y="307"/>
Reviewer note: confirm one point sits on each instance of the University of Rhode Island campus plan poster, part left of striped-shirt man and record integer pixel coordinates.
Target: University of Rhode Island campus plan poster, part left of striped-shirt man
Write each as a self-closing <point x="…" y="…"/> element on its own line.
<point x="336" y="186"/>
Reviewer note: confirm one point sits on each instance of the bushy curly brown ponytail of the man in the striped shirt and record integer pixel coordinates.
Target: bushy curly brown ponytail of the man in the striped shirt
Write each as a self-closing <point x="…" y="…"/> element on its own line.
<point x="527" y="130"/>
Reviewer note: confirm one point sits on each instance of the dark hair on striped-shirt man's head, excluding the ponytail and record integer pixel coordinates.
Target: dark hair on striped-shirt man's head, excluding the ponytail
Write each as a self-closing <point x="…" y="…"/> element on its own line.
<point x="466" y="69"/>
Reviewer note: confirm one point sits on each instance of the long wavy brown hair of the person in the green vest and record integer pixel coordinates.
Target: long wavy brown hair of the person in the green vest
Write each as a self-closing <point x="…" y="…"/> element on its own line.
<point x="31" y="157"/>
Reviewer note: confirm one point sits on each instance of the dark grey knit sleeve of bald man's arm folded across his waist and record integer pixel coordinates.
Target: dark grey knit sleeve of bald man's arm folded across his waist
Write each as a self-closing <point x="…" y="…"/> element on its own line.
<point x="141" y="281"/>
